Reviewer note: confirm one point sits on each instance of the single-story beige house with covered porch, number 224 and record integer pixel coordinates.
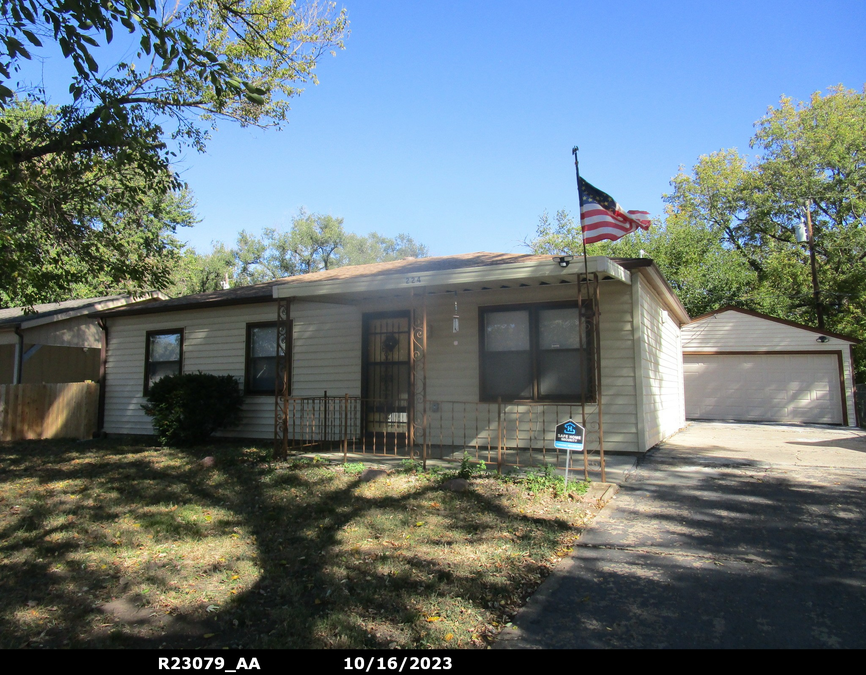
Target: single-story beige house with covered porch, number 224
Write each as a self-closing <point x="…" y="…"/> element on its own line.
<point x="481" y="348"/>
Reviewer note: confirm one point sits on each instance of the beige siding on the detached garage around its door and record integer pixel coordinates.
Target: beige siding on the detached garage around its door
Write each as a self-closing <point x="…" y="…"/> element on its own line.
<point x="733" y="331"/>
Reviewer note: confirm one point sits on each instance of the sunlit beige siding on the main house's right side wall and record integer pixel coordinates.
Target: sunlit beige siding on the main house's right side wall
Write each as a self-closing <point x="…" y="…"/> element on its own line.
<point x="663" y="397"/>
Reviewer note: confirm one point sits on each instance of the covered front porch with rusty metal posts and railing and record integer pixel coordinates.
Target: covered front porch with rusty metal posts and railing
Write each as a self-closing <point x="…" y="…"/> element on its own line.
<point x="429" y="385"/>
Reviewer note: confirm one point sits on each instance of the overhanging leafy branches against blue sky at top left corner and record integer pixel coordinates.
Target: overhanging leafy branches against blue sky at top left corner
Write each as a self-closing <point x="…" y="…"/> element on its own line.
<point x="240" y="59"/>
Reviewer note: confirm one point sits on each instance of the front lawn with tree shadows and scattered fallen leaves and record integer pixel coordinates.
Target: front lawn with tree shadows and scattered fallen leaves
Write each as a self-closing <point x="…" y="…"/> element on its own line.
<point x="110" y="545"/>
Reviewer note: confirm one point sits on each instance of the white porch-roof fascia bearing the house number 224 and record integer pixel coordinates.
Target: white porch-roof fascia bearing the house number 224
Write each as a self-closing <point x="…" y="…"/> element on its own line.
<point x="485" y="274"/>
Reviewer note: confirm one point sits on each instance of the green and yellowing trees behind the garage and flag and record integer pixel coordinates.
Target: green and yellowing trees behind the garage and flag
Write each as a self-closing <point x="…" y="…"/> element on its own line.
<point x="728" y="235"/>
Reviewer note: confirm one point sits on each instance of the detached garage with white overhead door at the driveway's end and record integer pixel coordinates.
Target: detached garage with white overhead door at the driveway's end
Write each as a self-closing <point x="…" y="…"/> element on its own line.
<point x="745" y="366"/>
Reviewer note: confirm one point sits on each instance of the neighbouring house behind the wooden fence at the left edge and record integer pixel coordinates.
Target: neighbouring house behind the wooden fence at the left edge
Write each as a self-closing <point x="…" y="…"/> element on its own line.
<point x="56" y="342"/>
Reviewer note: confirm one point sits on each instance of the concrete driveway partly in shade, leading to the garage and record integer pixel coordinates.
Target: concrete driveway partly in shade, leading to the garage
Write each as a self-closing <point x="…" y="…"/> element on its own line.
<point x="727" y="535"/>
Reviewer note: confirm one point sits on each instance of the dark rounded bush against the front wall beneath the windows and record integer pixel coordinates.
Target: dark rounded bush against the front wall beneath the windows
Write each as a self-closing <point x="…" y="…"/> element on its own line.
<point x="188" y="408"/>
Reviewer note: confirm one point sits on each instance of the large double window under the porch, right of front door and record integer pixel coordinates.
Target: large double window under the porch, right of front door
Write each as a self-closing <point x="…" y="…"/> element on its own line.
<point x="534" y="353"/>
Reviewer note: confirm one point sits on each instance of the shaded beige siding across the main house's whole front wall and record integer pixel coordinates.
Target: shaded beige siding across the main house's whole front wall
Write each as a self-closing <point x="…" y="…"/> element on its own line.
<point x="327" y="357"/>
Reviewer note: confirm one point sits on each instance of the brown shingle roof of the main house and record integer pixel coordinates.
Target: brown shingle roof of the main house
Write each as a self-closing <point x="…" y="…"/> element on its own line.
<point x="341" y="278"/>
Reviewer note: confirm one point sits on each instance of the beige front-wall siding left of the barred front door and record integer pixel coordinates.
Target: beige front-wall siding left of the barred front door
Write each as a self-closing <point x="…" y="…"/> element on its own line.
<point x="326" y="341"/>
